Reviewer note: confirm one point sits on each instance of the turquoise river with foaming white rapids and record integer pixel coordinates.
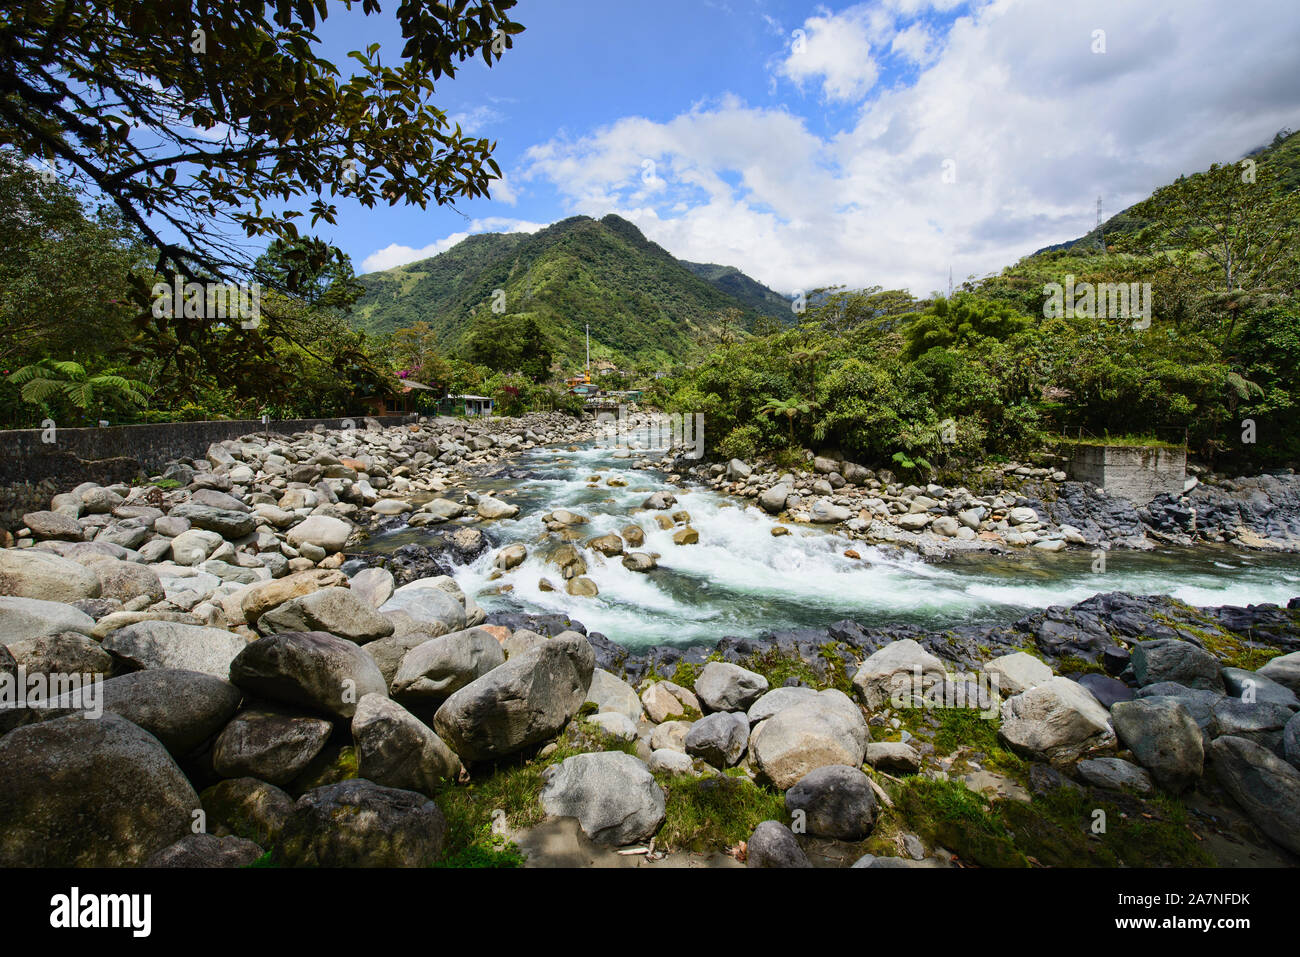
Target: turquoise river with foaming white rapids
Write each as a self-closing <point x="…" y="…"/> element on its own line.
<point x="742" y="581"/>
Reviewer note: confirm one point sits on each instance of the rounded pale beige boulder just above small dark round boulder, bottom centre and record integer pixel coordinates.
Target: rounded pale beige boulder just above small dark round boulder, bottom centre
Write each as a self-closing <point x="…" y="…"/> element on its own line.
<point x="826" y="730"/>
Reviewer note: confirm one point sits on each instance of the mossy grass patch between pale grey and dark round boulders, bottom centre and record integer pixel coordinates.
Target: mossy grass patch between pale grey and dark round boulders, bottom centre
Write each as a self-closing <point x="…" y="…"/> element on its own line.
<point x="705" y="815"/>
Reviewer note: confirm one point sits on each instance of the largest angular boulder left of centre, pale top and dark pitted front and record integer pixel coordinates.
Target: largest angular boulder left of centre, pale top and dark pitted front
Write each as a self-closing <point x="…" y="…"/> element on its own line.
<point x="523" y="703"/>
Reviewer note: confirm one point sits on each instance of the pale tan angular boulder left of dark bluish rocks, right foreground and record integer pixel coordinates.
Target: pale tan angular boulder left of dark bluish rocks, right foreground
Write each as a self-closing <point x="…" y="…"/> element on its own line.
<point x="1058" y="721"/>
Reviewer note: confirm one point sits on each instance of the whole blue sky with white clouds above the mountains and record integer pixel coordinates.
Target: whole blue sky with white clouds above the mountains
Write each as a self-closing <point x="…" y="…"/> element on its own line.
<point x="879" y="142"/>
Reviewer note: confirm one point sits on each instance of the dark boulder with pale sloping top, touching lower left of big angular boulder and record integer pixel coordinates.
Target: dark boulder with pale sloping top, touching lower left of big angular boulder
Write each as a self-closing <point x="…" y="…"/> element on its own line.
<point x="397" y="750"/>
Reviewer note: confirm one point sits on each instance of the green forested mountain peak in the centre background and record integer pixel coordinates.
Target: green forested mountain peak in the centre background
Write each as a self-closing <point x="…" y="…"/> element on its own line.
<point x="644" y="306"/>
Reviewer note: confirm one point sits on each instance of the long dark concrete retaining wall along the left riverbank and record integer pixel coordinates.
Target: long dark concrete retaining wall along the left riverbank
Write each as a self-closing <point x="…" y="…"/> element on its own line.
<point x="34" y="470"/>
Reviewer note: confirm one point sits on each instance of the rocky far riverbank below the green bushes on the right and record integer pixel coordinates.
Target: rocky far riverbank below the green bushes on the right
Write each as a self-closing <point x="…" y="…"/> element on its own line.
<point x="1017" y="506"/>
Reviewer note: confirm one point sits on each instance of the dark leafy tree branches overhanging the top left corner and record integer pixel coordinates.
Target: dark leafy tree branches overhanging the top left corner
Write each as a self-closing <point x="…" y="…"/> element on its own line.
<point x="203" y="120"/>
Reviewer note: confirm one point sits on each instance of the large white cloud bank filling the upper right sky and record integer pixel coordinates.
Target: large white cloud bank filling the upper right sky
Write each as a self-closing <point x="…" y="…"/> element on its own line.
<point x="1032" y="122"/>
